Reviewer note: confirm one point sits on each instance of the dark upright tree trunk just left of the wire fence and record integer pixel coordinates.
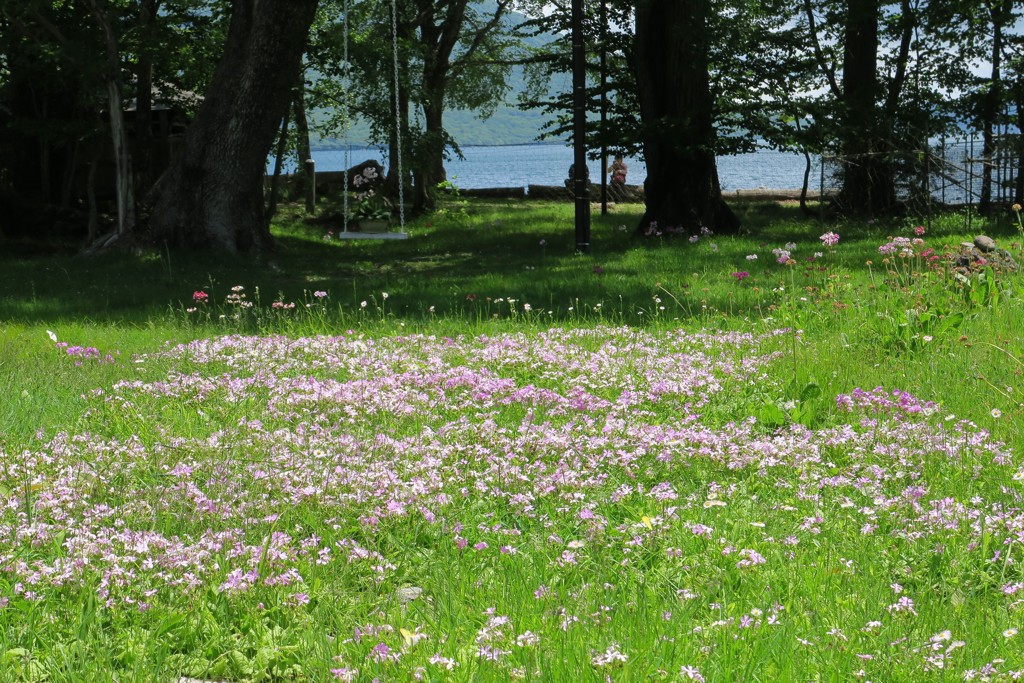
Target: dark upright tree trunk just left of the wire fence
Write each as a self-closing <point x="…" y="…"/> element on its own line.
<point x="868" y="165"/>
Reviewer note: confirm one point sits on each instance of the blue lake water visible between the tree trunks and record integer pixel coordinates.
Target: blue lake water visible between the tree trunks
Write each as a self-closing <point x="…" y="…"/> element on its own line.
<point x="519" y="166"/>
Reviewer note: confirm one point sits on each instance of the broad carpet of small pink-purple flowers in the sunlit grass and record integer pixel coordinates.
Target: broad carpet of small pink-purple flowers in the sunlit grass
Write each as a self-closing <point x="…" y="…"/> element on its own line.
<point x="579" y="460"/>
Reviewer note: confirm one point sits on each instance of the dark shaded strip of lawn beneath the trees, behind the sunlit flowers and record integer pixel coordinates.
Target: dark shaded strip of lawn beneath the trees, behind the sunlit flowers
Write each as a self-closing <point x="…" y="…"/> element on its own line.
<point x="480" y="249"/>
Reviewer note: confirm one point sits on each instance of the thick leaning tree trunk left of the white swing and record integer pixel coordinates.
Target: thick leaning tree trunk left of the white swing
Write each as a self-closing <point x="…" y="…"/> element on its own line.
<point x="214" y="193"/>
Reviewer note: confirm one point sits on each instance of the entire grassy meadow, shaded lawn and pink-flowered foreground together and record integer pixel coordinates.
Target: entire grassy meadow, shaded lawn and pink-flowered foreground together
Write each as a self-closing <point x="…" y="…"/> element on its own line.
<point x="475" y="456"/>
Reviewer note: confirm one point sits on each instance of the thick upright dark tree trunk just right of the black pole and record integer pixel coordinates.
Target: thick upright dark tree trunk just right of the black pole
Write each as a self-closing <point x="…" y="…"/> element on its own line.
<point x="682" y="189"/>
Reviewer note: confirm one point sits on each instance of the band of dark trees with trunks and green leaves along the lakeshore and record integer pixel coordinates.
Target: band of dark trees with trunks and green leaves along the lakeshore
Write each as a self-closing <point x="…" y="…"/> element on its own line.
<point x="139" y="103"/>
